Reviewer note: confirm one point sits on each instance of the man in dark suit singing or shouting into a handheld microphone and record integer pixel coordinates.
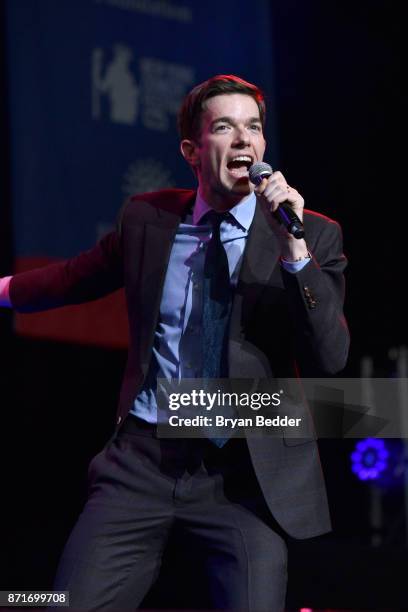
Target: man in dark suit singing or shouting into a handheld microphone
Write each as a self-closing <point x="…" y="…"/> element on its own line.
<point x="232" y="501"/>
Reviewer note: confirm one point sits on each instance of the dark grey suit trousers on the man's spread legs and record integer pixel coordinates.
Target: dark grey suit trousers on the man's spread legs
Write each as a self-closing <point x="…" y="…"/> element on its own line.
<point x="142" y="490"/>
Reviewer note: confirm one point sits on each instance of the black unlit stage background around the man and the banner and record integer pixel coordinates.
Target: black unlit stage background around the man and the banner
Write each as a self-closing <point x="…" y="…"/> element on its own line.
<point x="338" y="118"/>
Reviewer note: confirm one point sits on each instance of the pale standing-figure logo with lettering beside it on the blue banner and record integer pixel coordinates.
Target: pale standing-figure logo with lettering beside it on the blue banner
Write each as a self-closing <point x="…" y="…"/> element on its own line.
<point x="153" y="99"/>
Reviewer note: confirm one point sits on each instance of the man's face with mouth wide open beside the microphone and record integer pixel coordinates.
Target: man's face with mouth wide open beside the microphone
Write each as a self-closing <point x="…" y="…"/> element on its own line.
<point x="231" y="140"/>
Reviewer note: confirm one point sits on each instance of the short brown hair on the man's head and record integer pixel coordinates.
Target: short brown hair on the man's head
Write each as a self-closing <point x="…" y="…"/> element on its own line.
<point x="189" y="117"/>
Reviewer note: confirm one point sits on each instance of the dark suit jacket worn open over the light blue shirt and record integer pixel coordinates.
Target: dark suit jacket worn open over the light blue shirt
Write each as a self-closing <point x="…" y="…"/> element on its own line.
<point x="281" y="324"/>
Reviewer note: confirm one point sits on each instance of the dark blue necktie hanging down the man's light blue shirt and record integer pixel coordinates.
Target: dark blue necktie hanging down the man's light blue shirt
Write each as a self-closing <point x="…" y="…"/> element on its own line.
<point x="217" y="301"/>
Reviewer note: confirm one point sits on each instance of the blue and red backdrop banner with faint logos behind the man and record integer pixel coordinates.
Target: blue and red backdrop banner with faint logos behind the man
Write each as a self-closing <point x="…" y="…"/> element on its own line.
<point x="94" y="90"/>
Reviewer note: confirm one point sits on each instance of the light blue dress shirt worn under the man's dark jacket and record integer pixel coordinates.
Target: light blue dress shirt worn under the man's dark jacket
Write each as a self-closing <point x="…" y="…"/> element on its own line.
<point x="176" y="350"/>
